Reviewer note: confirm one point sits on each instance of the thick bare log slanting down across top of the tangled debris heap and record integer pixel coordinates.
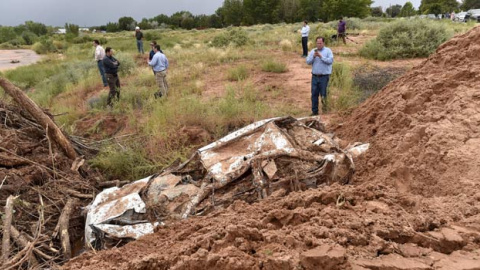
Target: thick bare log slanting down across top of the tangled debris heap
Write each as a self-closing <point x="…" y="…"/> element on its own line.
<point x="25" y="102"/>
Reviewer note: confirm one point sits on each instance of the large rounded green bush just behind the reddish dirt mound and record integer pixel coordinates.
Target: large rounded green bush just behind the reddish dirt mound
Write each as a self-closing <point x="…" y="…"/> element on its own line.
<point x="406" y="39"/>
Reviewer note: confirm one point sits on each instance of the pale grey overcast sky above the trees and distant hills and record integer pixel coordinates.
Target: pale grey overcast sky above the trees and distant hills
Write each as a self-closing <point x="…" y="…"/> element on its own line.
<point x="100" y="12"/>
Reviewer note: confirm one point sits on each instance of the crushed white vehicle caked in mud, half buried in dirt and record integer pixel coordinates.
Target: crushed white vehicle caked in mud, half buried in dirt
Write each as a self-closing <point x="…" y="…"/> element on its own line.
<point x="279" y="154"/>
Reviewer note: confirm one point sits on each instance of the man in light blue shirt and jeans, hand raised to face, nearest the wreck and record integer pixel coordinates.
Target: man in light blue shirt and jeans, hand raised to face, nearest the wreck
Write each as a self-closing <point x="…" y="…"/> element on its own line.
<point x="321" y="59"/>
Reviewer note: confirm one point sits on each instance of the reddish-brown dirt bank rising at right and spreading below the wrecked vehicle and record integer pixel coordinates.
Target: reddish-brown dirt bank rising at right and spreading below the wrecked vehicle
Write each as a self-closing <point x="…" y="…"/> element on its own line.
<point x="414" y="203"/>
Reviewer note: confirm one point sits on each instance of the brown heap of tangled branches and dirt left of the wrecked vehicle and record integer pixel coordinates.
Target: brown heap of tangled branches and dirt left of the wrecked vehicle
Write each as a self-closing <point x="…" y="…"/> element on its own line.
<point x="38" y="173"/>
